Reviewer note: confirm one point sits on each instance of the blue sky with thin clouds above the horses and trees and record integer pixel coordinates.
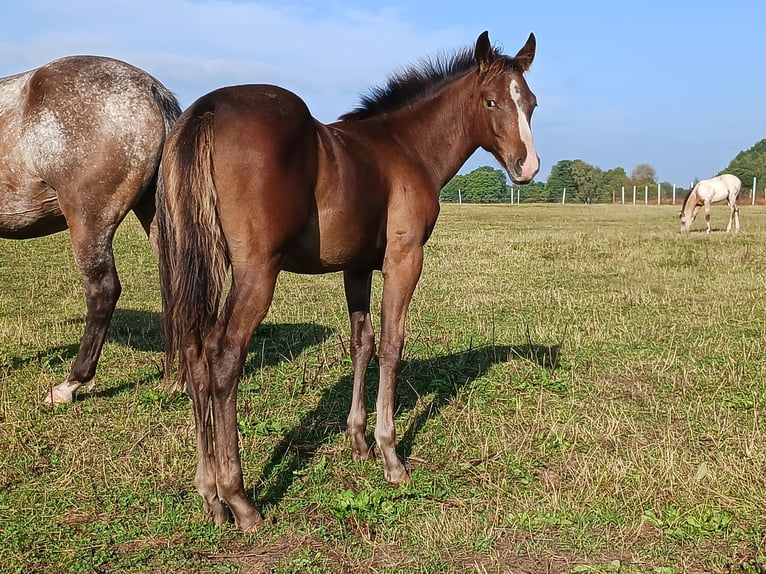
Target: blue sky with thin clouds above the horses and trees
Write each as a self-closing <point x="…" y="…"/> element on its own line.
<point x="678" y="85"/>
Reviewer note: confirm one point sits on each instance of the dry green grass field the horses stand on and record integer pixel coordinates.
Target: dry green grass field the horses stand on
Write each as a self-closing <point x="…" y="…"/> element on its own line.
<point x="583" y="390"/>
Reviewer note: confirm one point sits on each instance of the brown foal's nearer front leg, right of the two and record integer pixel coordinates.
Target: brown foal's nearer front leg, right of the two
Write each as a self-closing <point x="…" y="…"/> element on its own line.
<point x="401" y="270"/>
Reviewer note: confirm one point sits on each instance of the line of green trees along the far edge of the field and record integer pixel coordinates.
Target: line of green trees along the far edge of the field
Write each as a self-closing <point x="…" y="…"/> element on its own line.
<point x="585" y="183"/>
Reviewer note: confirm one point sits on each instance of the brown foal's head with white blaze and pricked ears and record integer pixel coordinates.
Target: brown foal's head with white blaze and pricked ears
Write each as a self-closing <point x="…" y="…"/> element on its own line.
<point x="504" y="106"/>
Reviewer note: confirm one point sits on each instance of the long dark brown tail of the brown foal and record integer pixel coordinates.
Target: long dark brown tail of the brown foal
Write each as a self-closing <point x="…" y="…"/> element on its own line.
<point x="193" y="257"/>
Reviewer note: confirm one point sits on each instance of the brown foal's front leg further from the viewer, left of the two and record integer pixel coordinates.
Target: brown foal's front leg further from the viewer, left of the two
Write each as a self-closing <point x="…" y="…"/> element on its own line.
<point x="357" y="287"/>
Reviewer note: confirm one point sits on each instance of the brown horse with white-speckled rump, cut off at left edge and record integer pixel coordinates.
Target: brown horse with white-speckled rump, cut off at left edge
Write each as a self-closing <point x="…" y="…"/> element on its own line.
<point x="80" y="145"/>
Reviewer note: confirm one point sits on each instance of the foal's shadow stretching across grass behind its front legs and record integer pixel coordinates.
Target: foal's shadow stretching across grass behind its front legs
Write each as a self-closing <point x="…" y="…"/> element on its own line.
<point x="439" y="378"/>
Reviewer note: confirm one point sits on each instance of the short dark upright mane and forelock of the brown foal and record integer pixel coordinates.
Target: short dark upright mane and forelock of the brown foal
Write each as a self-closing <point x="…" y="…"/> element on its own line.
<point x="416" y="82"/>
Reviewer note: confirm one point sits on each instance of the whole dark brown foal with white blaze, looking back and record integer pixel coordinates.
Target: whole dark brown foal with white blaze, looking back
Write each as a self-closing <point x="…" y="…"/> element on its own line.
<point x="255" y="184"/>
